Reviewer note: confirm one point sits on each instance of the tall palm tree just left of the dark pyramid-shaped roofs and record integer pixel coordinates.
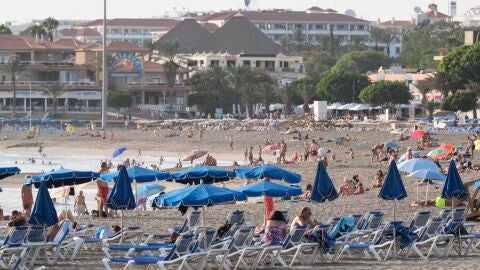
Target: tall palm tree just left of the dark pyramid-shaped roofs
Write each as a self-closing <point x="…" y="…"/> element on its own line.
<point x="168" y="50"/>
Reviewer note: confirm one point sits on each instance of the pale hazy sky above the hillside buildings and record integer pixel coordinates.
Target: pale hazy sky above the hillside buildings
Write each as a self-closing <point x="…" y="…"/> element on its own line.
<point x="22" y="10"/>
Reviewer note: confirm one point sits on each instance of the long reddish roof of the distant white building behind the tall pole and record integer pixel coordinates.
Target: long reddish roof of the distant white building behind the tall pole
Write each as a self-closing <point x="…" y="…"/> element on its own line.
<point x="132" y="22"/>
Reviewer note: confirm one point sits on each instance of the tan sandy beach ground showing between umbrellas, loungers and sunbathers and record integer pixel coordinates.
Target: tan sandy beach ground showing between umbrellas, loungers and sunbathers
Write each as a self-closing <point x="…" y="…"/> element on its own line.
<point x="153" y="146"/>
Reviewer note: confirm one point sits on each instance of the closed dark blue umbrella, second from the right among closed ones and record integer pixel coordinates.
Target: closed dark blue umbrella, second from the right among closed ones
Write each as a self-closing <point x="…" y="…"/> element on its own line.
<point x="392" y="188"/>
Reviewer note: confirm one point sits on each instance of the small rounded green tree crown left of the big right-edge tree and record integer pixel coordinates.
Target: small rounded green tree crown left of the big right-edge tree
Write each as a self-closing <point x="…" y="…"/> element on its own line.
<point x="386" y="93"/>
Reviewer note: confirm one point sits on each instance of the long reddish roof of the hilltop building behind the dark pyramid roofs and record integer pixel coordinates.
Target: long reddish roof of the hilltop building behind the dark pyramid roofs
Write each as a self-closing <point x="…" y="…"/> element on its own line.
<point x="283" y="16"/>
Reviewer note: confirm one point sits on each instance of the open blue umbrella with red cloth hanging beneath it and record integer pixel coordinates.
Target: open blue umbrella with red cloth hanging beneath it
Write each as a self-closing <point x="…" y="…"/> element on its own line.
<point x="269" y="189"/>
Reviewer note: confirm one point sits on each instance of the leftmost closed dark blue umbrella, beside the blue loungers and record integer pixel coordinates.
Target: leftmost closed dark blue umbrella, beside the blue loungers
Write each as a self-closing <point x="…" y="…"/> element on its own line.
<point x="43" y="212"/>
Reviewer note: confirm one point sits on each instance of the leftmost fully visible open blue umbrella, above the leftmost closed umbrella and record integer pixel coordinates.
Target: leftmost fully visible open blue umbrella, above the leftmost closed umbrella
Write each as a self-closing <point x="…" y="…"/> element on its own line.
<point x="63" y="177"/>
